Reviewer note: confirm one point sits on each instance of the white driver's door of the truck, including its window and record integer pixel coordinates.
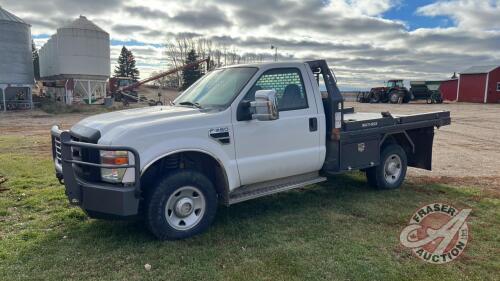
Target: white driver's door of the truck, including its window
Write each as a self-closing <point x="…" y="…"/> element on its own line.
<point x="290" y="145"/>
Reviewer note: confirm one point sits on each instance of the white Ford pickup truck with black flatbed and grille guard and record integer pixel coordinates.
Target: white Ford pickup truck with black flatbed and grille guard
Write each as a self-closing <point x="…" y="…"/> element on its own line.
<point x="238" y="133"/>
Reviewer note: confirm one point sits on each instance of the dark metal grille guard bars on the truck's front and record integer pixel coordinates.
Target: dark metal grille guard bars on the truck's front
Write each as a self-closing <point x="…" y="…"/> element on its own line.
<point x="62" y="152"/>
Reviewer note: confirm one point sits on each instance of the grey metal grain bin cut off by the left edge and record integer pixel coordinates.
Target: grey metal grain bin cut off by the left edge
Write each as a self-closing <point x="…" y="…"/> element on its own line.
<point x="16" y="64"/>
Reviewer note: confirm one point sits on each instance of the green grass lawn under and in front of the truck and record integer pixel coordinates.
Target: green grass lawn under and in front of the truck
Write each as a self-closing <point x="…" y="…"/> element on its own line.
<point x="340" y="230"/>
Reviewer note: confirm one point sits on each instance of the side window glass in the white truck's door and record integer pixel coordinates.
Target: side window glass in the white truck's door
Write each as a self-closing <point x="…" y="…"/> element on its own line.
<point x="289" y="87"/>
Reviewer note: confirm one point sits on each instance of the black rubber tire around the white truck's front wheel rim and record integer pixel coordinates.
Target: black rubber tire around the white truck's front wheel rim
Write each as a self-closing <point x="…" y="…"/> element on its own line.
<point x="156" y="203"/>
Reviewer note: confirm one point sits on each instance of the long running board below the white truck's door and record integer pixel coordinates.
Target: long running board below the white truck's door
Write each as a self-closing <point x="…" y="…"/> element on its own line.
<point x="252" y="191"/>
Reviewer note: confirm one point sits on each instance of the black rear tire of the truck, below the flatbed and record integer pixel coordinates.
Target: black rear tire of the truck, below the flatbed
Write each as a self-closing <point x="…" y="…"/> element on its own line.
<point x="376" y="176"/>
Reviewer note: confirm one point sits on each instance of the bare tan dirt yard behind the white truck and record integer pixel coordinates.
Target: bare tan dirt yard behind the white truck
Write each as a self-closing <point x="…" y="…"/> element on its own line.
<point x="465" y="153"/>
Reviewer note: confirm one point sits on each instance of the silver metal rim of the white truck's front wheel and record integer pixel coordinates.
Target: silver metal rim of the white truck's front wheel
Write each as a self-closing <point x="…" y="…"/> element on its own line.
<point x="185" y="207"/>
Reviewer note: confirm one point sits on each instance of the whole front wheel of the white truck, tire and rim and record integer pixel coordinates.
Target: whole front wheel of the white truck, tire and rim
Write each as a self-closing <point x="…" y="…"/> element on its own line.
<point x="181" y="205"/>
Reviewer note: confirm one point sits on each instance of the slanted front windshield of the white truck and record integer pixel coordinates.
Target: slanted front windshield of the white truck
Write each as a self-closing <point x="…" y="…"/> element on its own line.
<point x="216" y="89"/>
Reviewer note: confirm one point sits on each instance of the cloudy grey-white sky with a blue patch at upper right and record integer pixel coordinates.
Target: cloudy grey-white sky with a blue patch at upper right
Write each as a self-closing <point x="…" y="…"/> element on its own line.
<point x="364" y="41"/>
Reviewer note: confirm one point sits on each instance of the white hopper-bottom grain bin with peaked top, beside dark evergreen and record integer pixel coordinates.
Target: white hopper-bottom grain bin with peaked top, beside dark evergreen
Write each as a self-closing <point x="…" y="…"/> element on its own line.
<point x="78" y="58"/>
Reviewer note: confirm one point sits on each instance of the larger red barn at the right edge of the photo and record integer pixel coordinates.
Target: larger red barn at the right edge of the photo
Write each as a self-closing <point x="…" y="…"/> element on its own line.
<point x="479" y="84"/>
